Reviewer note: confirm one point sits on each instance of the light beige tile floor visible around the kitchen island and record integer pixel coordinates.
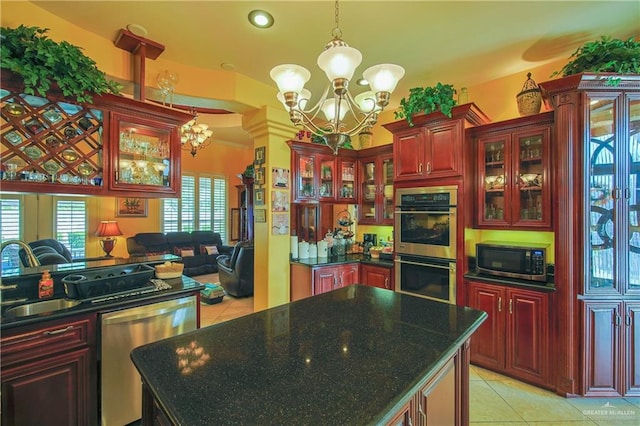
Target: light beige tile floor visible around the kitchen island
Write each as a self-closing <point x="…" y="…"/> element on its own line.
<point x="494" y="400"/>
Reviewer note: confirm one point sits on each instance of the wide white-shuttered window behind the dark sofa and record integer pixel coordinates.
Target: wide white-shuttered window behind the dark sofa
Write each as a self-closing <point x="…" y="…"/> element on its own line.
<point x="203" y="206"/>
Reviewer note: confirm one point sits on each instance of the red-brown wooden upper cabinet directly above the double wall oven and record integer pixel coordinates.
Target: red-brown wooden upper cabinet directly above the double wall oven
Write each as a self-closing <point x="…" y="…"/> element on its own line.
<point x="433" y="147"/>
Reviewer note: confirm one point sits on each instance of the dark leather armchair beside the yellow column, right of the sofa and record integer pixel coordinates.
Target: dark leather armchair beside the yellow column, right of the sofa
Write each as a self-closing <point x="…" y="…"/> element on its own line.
<point x="236" y="271"/>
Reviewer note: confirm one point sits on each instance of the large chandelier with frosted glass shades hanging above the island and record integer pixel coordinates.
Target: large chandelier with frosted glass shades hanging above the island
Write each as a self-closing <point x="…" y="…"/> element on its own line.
<point x="339" y="62"/>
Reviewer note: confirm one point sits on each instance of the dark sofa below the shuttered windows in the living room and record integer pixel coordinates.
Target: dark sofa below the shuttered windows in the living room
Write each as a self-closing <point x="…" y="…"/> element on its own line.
<point x="199" y="250"/>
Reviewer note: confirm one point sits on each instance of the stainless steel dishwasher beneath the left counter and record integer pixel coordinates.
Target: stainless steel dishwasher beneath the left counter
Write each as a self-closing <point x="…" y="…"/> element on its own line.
<point x="121" y="332"/>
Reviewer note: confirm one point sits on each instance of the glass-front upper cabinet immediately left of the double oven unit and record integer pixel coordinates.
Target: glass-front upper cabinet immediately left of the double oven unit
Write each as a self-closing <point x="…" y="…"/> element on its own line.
<point x="376" y="186"/>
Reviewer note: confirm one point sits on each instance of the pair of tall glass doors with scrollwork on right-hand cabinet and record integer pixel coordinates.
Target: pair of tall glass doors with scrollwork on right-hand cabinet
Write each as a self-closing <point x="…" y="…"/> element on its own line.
<point x="611" y="199"/>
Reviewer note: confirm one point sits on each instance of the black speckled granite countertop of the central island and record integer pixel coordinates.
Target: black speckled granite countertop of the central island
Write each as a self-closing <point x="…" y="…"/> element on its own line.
<point x="349" y="356"/>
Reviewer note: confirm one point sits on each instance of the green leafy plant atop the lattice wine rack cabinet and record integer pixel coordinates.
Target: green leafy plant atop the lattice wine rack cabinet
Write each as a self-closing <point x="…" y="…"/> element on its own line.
<point x="43" y="63"/>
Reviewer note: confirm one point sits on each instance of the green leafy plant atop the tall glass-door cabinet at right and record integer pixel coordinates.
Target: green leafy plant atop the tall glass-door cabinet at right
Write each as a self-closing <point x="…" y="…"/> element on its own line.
<point x="606" y="55"/>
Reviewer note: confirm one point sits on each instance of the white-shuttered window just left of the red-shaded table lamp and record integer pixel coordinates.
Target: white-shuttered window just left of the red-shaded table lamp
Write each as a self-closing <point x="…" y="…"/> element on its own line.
<point x="71" y="225"/>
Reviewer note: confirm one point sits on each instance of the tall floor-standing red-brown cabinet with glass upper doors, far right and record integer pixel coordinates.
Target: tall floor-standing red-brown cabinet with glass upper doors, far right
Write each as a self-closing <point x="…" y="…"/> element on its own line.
<point x="596" y="154"/>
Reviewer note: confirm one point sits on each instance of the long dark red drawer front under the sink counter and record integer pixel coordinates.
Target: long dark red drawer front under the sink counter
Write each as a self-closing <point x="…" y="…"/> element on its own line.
<point x="31" y="342"/>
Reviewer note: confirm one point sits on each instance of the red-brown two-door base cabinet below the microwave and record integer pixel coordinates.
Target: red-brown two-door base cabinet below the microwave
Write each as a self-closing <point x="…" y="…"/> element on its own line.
<point x="515" y="338"/>
